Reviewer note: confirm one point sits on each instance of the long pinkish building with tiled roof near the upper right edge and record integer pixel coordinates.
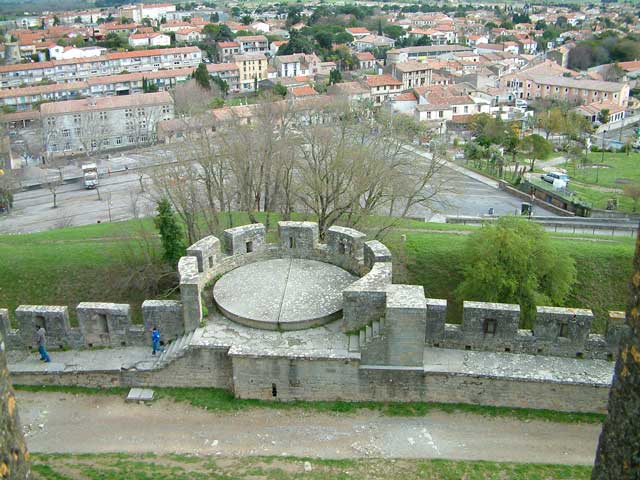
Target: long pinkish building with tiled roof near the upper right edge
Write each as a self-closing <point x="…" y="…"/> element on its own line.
<point x="530" y="86"/>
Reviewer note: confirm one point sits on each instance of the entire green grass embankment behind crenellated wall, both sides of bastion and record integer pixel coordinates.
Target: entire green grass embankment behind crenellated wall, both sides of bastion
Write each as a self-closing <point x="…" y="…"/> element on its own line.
<point x="88" y="263"/>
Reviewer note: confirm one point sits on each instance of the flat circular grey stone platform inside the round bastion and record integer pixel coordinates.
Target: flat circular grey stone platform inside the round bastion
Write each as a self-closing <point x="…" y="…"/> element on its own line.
<point x="283" y="294"/>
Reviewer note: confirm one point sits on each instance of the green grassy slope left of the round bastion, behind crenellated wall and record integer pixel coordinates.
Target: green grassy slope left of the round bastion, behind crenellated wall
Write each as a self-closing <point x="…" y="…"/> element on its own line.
<point x="64" y="267"/>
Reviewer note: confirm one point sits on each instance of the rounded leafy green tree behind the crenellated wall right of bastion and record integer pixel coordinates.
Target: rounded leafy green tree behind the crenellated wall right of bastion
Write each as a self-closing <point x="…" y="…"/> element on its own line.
<point x="514" y="261"/>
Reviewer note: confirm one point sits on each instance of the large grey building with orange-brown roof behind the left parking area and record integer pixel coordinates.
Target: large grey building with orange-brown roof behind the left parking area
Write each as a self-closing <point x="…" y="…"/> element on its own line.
<point x="97" y="124"/>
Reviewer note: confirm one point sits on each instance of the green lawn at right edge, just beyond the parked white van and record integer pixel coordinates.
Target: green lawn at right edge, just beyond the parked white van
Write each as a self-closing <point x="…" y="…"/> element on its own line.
<point x="622" y="167"/>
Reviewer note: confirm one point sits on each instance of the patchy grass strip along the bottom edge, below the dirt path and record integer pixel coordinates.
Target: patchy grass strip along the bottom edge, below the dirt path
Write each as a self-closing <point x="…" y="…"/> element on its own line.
<point x="193" y="467"/>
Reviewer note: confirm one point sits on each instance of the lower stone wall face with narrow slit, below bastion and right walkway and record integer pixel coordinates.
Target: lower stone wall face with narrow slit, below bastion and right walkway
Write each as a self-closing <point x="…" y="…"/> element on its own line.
<point x="316" y="380"/>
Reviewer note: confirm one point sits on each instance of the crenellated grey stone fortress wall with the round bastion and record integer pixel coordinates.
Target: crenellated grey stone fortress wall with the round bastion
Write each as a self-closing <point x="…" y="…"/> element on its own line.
<point x="387" y="327"/>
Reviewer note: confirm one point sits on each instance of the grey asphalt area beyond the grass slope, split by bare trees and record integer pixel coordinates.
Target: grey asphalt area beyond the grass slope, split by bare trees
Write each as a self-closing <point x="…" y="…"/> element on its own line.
<point x="463" y="194"/>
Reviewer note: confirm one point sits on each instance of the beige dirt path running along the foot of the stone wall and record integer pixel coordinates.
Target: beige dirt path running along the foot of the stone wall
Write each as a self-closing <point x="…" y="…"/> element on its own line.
<point x="65" y="423"/>
